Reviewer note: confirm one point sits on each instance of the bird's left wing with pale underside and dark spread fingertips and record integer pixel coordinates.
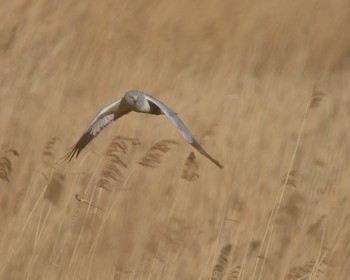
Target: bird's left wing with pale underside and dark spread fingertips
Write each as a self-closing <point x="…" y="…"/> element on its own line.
<point x="103" y="118"/>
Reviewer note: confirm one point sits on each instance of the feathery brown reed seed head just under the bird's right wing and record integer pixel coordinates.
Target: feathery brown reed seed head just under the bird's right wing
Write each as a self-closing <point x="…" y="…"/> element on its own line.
<point x="153" y="156"/>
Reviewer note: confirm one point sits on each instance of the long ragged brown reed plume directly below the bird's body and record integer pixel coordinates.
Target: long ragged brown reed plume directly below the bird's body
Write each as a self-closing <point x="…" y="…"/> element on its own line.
<point x="112" y="170"/>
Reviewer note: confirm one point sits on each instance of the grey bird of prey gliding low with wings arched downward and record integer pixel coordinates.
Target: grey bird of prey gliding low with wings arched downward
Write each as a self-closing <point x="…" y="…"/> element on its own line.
<point x="137" y="101"/>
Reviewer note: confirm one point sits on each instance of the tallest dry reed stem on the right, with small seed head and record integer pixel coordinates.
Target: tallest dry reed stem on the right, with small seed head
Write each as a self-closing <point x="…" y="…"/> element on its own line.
<point x="314" y="100"/>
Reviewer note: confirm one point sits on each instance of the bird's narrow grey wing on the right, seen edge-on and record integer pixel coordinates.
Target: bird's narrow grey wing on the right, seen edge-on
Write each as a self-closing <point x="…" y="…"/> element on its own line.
<point x="186" y="133"/>
